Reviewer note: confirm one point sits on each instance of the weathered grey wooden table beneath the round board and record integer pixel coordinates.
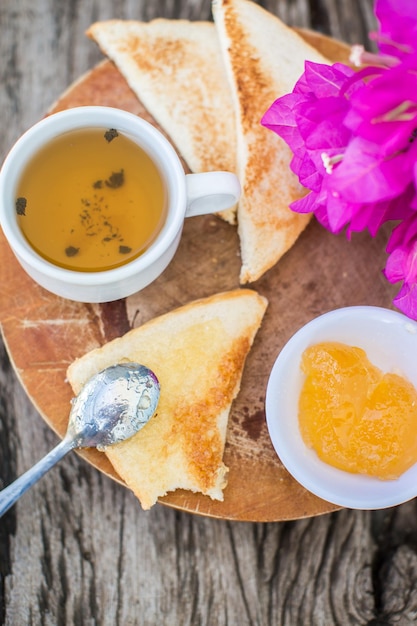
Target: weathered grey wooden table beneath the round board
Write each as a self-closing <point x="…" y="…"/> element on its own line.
<point x="78" y="549"/>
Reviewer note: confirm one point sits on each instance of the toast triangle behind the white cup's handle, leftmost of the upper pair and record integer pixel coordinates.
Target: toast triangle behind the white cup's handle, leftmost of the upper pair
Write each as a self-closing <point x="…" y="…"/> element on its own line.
<point x="176" y="70"/>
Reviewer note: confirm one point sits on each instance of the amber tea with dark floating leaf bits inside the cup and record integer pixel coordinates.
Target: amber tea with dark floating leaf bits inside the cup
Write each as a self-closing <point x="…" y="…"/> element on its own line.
<point x="91" y="200"/>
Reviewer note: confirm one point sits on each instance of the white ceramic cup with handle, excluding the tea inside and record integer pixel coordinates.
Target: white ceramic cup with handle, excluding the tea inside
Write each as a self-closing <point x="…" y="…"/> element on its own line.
<point x="187" y="195"/>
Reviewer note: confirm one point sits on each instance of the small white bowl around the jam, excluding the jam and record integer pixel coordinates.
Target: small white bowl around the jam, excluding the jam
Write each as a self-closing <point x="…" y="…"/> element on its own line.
<point x="390" y="341"/>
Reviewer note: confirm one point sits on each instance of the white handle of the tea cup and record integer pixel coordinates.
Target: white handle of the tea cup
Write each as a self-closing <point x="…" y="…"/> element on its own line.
<point x="211" y="192"/>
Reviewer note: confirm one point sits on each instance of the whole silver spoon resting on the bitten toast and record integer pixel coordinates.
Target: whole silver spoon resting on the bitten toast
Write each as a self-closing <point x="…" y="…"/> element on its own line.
<point x="112" y="406"/>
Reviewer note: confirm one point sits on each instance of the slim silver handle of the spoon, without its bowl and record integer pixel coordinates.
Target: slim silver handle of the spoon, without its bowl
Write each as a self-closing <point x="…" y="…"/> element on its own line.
<point x="12" y="493"/>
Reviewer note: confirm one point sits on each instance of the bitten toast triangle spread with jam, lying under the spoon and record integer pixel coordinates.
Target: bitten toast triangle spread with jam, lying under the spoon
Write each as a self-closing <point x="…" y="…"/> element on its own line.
<point x="198" y="353"/>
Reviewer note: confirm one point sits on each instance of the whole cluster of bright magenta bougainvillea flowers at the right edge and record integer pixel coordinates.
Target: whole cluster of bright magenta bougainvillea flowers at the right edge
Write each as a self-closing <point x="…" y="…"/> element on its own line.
<point x="354" y="140"/>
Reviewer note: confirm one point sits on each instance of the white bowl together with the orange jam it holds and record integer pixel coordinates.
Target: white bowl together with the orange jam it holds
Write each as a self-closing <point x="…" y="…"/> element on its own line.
<point x="373" y="438"/>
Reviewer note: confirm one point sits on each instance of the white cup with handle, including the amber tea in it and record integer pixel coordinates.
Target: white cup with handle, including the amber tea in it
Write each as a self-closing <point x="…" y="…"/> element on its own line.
<point x="93" y="201"/>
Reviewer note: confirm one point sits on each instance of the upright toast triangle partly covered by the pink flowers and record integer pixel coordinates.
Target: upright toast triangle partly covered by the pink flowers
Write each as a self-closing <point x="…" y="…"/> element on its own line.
<point x="264" y="59"/>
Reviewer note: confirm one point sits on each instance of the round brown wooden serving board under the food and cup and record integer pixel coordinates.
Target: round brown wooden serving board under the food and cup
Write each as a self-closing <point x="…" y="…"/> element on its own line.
<point x="321" y="272"/>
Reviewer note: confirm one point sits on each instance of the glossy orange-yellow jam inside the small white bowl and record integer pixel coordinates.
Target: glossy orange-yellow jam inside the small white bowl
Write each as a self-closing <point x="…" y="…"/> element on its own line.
<point x="356" y="417"/>
